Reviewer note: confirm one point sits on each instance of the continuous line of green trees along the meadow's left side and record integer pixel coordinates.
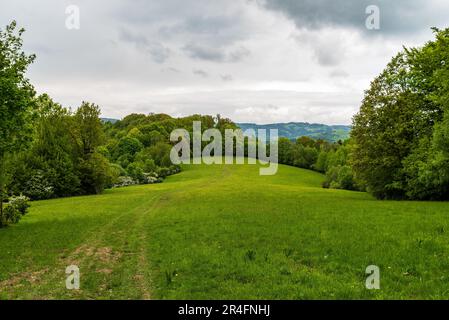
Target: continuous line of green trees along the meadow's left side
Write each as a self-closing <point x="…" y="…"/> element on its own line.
<point x="49" y="151"/>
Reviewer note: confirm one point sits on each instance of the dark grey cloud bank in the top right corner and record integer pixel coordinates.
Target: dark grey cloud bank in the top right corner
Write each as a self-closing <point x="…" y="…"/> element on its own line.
<point x="396" y="17"/>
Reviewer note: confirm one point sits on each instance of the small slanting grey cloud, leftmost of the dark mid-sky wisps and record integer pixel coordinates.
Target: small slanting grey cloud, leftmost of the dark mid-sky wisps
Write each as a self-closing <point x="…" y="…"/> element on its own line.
<point x="156" y="50"/>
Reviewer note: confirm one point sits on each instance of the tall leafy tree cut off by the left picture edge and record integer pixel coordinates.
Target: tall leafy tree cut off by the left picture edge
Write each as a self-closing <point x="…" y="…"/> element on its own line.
<point x="16" y="98"/>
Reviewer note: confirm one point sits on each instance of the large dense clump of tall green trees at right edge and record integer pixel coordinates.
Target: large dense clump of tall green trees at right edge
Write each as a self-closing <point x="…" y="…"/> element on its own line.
<point x="400" y="134"/>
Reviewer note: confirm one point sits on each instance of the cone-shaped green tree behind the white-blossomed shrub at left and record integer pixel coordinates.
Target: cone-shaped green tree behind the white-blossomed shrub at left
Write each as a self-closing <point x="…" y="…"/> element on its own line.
<point x="50" y="155"/>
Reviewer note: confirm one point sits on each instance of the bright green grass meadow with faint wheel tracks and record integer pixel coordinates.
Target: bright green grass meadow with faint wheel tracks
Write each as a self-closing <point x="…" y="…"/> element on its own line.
<point x="225" y="232"/>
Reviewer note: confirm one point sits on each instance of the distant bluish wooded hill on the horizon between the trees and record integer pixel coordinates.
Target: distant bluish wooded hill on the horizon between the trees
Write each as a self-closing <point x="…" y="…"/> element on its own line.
<point x="293" y="130"/>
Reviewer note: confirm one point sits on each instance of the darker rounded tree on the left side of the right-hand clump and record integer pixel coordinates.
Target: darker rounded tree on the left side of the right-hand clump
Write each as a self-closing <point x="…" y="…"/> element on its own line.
<point x="384" y="130"/>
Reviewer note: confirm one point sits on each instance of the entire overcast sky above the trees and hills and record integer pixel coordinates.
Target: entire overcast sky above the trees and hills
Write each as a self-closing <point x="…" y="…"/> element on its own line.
<point x="257" y="61"/>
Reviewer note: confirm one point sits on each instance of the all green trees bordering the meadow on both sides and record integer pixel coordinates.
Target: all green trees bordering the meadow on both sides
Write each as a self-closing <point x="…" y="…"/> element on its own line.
<point x="398" y="148"/>
